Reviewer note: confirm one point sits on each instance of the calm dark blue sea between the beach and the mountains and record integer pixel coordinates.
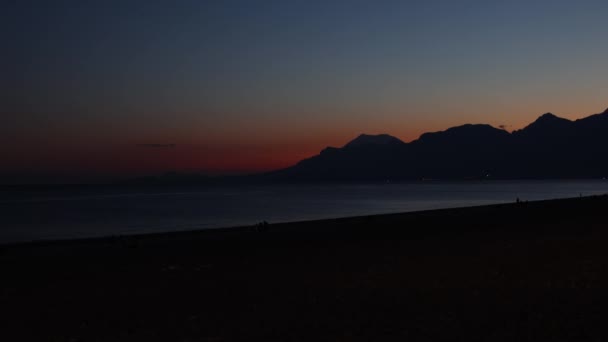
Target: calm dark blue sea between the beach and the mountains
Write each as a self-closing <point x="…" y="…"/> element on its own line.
<point x="87" y="213"/>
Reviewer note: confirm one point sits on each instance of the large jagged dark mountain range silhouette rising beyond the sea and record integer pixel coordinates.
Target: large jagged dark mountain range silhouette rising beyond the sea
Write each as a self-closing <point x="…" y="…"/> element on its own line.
<point x="550" y="147"/>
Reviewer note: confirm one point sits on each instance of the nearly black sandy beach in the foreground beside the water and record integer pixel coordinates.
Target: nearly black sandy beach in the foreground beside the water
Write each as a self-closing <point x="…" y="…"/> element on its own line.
<point x="514" y="272"/>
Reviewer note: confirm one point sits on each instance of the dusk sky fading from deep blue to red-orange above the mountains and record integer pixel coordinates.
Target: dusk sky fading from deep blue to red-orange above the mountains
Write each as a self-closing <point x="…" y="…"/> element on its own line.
<point x="95" y="90"/>
